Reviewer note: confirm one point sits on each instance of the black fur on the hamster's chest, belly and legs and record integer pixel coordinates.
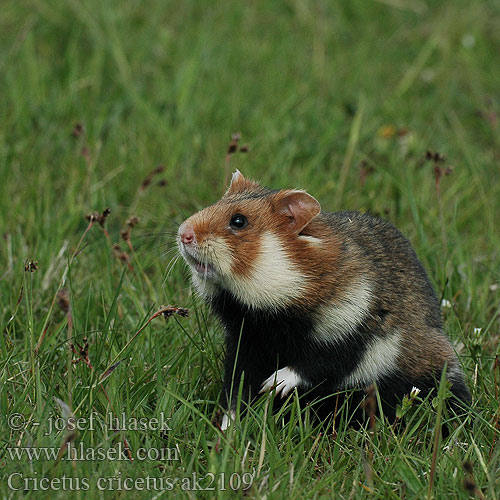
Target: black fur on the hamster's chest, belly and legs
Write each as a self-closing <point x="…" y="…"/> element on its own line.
<point x="258" y="344"/>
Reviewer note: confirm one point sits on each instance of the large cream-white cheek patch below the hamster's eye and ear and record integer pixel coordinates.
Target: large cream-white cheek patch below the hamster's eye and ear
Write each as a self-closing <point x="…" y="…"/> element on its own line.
<point x="274" y="281"/>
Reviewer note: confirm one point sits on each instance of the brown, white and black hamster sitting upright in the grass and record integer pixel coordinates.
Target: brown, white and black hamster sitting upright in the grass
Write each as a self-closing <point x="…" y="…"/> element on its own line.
<point x="315" y="301"/>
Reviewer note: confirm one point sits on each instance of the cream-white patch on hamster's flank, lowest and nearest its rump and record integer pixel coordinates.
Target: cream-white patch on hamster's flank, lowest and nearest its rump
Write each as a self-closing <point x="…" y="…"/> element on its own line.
<point x="380" y="359"/>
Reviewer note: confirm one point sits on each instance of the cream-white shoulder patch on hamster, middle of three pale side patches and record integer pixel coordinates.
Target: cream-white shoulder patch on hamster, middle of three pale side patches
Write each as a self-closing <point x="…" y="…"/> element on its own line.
<point x="337" y="321"/>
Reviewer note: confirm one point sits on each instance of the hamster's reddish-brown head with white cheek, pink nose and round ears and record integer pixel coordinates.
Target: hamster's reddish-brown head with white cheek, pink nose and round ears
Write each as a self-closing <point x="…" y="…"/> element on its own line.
<point x="263" y="246"/>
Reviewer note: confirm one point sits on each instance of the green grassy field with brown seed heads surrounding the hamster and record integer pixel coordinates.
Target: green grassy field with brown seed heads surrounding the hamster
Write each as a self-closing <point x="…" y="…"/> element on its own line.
<point x="343" y="99"/>
